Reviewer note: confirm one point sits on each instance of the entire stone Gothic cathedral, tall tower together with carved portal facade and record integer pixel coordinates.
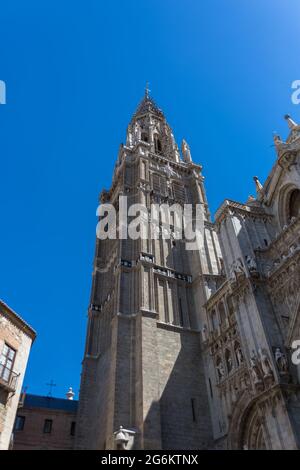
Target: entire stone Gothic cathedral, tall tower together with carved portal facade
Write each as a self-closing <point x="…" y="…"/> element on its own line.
<point x="191" y="349"/>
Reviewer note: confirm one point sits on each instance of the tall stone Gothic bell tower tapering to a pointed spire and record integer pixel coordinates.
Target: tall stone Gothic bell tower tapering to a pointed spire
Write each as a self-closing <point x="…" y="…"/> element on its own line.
<point x="142" y="367"/>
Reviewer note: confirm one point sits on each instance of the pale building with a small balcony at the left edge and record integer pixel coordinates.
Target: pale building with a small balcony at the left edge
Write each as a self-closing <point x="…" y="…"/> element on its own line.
<point x="16" y="338"/>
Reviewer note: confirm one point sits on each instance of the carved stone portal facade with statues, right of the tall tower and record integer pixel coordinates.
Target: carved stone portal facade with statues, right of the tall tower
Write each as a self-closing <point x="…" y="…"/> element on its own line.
<point x="251" y="322"/>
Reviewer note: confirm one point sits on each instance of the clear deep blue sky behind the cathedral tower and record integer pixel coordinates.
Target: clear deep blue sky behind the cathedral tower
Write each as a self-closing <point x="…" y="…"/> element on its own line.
<point x="75" y="71"/>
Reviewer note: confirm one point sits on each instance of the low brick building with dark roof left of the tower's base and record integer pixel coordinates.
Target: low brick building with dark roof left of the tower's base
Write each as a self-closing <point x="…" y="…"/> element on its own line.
<point x="45" y="423"/>
